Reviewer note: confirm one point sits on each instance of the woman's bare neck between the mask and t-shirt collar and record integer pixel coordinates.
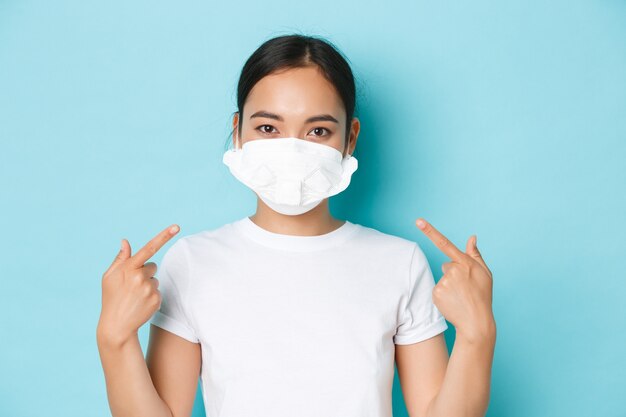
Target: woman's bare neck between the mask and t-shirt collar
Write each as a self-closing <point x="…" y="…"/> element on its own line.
<point x="317" y="221"/>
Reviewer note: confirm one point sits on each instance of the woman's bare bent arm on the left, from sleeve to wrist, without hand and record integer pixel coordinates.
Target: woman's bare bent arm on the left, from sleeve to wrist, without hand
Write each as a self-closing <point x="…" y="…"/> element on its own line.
<point x="163" y="385"/>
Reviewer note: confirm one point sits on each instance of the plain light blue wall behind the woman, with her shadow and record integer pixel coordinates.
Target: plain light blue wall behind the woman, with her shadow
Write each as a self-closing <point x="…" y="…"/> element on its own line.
<point x="505" y="119"/>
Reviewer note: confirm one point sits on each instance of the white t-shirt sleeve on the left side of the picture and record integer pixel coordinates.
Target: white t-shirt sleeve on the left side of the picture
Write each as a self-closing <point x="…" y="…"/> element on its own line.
<point x="173" y="276"/>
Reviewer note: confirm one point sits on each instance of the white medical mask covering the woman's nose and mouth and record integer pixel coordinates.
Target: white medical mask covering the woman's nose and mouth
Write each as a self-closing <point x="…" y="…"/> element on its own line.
<point x="291" y="175"/>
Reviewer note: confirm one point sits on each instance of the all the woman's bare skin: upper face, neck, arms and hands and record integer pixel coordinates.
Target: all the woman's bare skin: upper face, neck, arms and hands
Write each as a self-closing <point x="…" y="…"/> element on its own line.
<point x="164" y="384"/>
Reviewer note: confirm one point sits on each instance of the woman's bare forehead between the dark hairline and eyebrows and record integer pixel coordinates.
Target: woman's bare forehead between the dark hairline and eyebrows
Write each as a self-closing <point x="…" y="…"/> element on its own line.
<point x="295" y="93"/>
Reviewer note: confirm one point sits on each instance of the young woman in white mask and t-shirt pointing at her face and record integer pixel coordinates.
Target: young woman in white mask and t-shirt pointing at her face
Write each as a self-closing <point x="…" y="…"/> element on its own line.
<point x="292" y="312"/>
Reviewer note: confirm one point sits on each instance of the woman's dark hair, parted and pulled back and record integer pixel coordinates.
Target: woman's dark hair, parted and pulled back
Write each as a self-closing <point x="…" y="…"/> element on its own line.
<point x="294" y="51"/>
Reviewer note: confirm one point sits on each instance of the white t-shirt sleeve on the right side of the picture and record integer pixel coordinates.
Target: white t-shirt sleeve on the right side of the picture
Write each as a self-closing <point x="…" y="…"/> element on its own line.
<point x="419" y="318"/>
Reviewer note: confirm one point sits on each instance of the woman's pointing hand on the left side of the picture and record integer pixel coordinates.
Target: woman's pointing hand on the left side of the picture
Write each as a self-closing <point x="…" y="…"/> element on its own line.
<point x="130" y="294"/>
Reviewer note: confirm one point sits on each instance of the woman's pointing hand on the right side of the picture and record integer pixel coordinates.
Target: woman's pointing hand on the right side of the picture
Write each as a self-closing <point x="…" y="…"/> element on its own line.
<point x="464" y="293"/>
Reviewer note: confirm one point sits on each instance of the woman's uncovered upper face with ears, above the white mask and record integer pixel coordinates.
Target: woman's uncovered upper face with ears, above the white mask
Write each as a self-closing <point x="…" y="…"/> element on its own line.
<point x="300" y="103"/>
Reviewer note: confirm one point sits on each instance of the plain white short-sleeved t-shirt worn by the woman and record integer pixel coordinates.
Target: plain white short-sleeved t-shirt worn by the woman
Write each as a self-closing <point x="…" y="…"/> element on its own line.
<point x="297" y="325"/>
